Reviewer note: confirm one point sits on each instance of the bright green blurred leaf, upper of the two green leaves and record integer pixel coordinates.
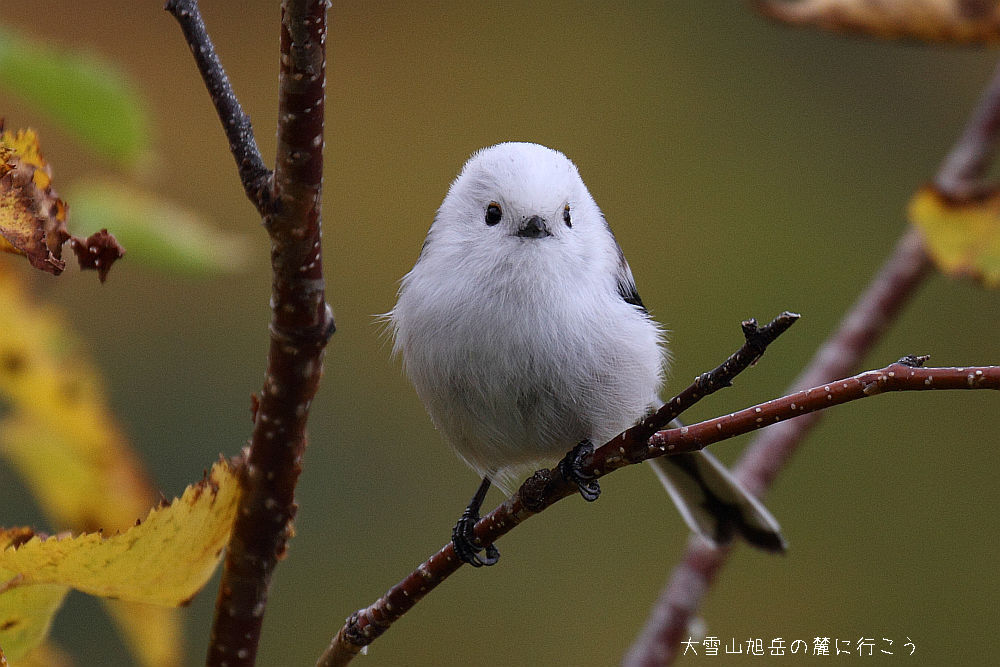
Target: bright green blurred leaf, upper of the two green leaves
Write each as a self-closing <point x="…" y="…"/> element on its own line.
<point x="87" y="95"/>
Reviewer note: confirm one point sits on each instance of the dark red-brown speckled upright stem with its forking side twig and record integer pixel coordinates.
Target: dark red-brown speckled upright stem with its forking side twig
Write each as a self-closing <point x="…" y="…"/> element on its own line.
<point x="301" y="322"/>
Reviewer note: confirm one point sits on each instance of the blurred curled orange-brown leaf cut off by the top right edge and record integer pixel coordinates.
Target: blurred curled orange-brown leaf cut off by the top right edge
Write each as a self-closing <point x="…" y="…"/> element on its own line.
<point x="952" y="21"/>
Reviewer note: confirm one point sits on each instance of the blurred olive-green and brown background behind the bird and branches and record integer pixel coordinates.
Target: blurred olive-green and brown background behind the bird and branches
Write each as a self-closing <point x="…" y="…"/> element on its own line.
<point x="745" y="168"/>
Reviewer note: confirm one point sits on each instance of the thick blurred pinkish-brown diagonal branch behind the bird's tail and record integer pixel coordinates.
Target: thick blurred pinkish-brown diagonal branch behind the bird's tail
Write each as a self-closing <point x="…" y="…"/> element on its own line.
<point x="871" y="315"/>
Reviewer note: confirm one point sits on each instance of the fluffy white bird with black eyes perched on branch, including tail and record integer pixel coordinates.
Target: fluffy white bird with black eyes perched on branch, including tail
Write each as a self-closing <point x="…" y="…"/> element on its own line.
<point x="522" y="332"/>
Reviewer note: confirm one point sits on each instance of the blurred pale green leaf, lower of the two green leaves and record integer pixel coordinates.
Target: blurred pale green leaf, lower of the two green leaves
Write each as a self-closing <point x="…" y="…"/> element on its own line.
<point x="156" y="232"/>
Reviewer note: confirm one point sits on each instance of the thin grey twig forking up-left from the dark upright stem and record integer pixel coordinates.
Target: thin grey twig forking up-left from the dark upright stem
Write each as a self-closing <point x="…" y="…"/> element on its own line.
<point x="254" y="174"/>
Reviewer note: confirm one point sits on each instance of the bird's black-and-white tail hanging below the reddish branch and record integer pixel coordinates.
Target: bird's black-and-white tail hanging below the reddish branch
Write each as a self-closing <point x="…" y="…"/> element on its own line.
<point x="714" y="504"/>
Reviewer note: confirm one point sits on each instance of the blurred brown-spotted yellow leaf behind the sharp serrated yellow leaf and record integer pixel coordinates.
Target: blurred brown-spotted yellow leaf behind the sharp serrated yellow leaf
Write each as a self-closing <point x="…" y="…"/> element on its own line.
<point x="61" y="437"/>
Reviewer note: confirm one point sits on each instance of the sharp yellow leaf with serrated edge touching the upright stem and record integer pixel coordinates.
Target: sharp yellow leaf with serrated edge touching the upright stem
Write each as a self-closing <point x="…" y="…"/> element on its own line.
<point x="164" y="560"/>
